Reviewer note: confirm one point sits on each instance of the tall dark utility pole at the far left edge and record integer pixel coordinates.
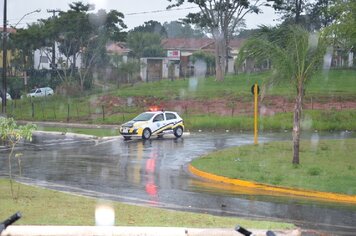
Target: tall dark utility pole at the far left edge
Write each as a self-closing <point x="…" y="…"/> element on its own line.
<point x="4" y="58"/>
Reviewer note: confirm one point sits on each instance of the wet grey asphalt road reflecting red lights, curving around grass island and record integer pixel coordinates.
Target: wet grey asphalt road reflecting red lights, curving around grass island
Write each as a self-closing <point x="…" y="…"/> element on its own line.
<point x="154" y="173"/>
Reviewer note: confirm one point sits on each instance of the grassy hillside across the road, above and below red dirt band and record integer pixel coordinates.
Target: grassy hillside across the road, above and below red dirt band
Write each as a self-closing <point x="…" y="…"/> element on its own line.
<point x="336" y="84"/>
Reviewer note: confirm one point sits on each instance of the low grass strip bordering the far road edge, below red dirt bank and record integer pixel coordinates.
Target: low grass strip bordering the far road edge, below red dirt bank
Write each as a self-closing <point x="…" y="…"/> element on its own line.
<point x="313" y="120"/>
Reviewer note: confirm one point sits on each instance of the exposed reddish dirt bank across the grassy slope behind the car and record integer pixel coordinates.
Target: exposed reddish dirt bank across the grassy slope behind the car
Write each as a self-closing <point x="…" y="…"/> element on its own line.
<point x="240" y="106"/>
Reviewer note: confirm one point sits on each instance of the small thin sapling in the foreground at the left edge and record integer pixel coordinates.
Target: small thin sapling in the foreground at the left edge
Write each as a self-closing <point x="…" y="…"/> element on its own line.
<point x="11" y="134"/>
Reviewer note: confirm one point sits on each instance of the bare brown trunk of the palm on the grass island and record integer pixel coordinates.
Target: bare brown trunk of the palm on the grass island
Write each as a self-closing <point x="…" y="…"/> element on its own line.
<point x="296" y="123"/>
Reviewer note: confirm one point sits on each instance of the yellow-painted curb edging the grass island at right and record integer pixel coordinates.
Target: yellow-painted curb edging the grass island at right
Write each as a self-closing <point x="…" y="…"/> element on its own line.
<point x="273" y="190"/>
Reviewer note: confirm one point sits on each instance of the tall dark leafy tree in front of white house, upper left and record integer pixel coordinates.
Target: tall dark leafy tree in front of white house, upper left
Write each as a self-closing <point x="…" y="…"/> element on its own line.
<point x="84" y="34"/>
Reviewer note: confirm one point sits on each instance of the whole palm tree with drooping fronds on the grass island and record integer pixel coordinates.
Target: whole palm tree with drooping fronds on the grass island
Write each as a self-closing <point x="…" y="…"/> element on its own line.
<point x="295" y="55"/>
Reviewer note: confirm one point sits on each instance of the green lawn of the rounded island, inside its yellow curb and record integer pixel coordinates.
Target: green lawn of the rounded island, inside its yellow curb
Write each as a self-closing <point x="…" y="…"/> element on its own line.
<point x="326" y="165"/>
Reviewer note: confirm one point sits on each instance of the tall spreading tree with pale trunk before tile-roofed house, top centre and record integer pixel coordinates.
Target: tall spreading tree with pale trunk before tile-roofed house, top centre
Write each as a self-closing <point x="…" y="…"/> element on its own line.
<point x="221" y="17"/>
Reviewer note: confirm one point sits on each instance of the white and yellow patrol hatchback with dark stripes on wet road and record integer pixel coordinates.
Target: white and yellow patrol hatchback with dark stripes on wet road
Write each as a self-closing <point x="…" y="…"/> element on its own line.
<point x="150" y="123"/>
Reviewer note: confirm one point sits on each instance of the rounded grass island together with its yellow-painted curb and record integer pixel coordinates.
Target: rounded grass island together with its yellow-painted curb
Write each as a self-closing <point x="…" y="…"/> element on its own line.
<point x="326" y="170"/>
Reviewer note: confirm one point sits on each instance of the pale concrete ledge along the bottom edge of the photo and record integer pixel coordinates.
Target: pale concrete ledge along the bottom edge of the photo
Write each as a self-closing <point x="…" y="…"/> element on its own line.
<point x="131" y="231"/>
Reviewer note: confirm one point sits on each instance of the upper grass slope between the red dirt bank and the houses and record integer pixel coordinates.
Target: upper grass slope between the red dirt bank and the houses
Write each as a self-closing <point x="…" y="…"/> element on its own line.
<point x="331" y="83"/>
